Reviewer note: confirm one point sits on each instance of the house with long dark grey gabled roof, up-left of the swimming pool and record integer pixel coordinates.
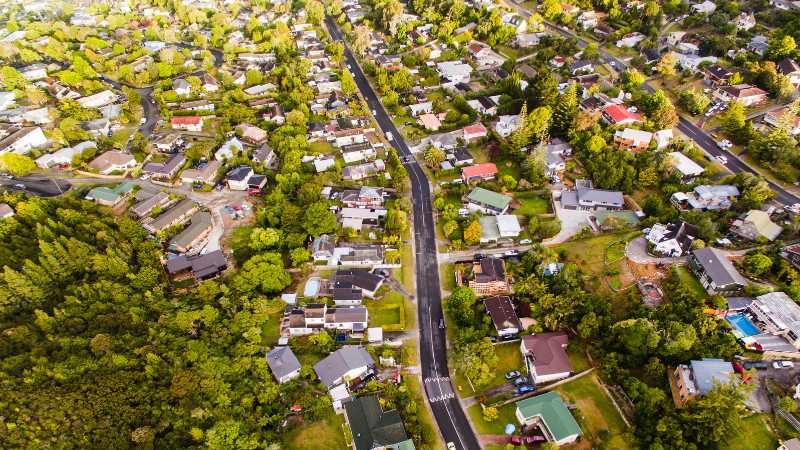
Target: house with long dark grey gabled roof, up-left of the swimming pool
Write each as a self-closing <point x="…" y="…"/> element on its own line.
<point x="716" y="272"/>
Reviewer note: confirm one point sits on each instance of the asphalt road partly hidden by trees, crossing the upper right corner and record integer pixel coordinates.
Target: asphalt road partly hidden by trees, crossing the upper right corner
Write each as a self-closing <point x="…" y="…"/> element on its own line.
<point x="703" y="140"/>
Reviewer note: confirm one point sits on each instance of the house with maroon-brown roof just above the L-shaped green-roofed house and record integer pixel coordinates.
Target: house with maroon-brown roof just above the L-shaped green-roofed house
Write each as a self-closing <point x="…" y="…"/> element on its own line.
<point x="546" y="356"/>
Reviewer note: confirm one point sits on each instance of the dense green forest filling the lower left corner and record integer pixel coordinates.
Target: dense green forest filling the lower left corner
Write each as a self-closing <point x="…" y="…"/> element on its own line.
<point x="97" y="352"/>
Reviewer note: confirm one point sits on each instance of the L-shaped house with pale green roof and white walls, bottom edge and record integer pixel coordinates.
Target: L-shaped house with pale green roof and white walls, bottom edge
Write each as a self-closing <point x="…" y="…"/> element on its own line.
<point x="550" y="414"/>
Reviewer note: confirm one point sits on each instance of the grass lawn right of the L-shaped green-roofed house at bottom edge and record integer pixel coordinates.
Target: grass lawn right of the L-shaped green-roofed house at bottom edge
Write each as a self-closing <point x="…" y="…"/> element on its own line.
<point x="597" y="416"/>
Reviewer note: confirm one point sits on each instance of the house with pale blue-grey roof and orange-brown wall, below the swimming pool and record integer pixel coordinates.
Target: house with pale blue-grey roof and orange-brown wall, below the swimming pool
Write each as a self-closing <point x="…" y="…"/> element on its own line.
<point x="698" y="378"/>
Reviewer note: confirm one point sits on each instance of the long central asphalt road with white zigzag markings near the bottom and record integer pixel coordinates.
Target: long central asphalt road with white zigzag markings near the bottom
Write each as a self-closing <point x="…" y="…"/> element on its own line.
<point x="447" y="411"/>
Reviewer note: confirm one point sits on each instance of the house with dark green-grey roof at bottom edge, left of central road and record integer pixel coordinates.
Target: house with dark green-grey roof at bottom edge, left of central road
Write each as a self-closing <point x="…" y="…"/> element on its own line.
<point x="373" y="428"/>
